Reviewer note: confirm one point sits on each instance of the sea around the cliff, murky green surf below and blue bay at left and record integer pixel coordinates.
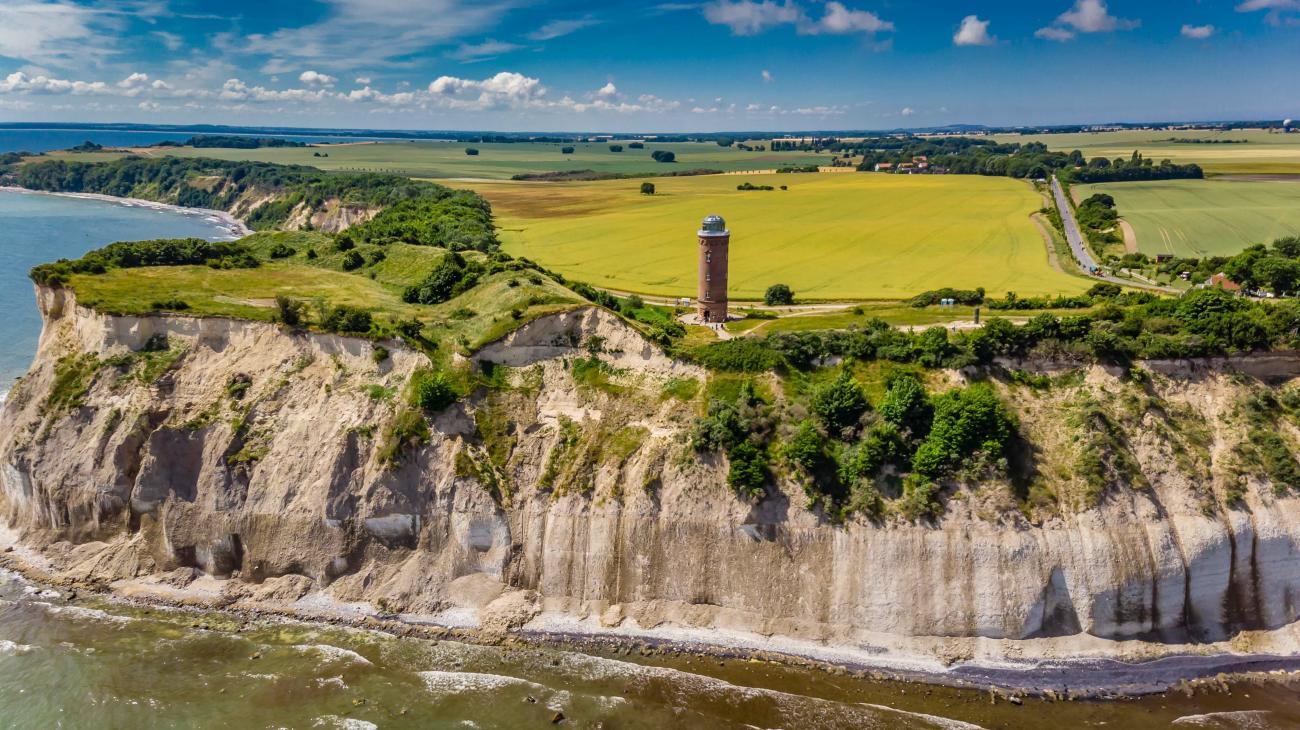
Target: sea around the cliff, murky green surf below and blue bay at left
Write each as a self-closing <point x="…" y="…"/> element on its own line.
<point x="86" y="662"/>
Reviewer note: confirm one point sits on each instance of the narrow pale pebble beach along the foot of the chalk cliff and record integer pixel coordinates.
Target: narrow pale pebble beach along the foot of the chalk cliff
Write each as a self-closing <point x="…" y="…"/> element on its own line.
<point x="1094" y="679"/>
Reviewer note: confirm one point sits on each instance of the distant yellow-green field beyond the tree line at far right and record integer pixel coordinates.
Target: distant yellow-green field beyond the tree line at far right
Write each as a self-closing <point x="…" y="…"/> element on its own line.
<point x="1263" y="153"/>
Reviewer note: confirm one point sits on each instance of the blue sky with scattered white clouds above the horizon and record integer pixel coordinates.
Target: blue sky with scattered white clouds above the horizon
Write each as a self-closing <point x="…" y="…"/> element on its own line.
<point x="536" y="66"/>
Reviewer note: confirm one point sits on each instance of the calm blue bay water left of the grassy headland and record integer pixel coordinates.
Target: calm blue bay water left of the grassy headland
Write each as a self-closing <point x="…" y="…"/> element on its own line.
<point x="37" y="228"/>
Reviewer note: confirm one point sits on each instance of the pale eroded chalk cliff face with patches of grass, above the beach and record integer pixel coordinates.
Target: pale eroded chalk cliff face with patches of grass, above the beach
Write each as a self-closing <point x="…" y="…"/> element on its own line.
<point x="245" y="453"/>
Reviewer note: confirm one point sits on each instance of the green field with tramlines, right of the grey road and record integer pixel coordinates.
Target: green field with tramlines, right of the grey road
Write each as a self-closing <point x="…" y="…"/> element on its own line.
<point x="1214" y="218"/>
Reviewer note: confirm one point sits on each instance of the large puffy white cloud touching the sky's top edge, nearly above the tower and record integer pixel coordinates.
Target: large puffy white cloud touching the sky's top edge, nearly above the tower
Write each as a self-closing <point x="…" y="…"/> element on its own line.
<point x="751" y="18"/>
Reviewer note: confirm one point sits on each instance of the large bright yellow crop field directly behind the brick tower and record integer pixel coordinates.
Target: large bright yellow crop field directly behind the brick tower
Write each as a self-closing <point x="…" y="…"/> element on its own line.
<point x="829" y="237"/>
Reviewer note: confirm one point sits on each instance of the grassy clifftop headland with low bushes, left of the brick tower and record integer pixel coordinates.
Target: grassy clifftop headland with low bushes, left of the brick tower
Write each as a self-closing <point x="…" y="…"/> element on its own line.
<point x="482" y="315"/>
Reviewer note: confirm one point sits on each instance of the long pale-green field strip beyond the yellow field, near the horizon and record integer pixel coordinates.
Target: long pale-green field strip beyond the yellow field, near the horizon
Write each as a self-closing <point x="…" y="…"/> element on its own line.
<point x="495" y="162"/>
